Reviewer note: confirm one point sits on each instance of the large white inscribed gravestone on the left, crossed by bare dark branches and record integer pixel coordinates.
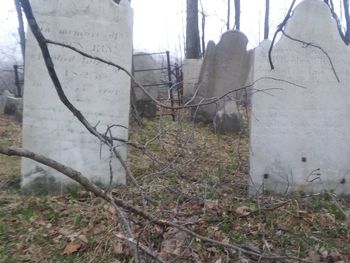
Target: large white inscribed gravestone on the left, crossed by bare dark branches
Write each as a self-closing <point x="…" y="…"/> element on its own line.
<point x="100" y="92"/>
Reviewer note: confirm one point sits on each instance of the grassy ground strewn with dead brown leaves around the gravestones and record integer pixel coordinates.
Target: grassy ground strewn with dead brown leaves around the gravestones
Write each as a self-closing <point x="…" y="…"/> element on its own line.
<point x="189" y="175"/>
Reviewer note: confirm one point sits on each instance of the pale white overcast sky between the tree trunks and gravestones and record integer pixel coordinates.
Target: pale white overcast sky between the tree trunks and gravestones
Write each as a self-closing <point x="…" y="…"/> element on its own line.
<point x="159" y="24"/>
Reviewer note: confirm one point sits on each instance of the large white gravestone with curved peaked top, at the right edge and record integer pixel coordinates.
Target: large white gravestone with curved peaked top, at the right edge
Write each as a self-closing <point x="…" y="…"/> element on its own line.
<point x="300" y="125"/>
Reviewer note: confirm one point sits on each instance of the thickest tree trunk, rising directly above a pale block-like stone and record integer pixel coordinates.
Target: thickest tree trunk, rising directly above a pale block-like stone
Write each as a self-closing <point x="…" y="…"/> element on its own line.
<point x="193" y="49"/>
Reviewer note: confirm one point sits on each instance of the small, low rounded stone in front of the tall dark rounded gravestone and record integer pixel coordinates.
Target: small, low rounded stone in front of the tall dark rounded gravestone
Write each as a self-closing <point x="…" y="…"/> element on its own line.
<point x="228" y="119"/>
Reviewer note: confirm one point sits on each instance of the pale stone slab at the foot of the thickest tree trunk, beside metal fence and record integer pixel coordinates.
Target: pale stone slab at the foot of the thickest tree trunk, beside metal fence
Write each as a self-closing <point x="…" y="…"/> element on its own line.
<point x="191" y="69"/>
